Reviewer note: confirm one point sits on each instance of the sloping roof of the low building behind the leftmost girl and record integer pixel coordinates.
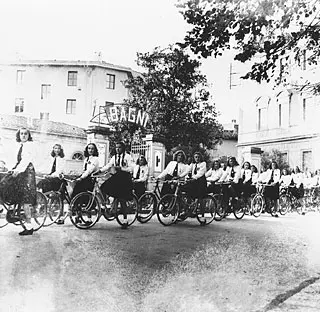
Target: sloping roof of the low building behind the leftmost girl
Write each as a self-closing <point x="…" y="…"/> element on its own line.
<point x="40" y="125"/>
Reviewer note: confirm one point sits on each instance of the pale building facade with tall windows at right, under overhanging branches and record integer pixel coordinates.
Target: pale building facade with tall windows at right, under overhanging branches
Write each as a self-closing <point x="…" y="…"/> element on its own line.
<point x="283" y="119"/>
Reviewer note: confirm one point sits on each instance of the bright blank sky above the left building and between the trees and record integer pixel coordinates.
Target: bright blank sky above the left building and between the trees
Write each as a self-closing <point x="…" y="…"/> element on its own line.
<point x="118" y="29"/>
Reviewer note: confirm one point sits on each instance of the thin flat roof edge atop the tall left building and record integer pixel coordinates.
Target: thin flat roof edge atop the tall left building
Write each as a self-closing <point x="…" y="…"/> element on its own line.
<point x="78" y="63"/>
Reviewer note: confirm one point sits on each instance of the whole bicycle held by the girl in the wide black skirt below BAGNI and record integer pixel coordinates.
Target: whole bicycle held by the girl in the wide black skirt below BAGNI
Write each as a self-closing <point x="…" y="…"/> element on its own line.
<point x="87" y="208"/>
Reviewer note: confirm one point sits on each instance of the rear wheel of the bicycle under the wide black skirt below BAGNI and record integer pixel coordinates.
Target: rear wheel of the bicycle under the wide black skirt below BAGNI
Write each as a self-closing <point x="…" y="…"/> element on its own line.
<point x="126" y="210"/>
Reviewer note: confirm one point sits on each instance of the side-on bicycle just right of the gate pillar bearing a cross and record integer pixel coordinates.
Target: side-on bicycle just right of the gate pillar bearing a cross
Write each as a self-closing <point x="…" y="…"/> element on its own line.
<point x="173" y="206"/>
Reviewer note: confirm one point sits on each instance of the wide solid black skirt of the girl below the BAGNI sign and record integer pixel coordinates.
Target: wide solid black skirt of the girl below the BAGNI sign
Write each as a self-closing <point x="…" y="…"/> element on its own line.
<point x="119" y="185"/>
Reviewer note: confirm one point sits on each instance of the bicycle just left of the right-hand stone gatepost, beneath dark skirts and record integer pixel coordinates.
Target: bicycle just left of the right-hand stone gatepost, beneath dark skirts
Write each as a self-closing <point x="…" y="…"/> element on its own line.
<point x="224" y="208"/>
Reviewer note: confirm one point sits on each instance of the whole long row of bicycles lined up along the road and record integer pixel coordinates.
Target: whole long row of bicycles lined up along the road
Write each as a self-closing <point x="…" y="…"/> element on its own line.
<point x="86" y="208"/>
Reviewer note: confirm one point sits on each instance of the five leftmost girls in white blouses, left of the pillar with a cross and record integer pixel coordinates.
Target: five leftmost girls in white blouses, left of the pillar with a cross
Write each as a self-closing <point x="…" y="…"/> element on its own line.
<point x="18" y="184"/>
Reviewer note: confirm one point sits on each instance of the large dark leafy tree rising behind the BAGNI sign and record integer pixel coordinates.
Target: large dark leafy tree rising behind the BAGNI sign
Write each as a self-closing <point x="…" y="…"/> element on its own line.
<point x="175" y="95"/>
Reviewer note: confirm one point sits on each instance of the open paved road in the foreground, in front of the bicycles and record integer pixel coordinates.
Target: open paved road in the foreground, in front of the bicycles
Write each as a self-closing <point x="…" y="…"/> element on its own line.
<point x="264" y="264"/>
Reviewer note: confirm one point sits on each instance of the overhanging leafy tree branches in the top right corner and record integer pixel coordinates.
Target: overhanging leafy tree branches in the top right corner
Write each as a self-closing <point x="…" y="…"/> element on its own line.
<point x="267" y="32"/>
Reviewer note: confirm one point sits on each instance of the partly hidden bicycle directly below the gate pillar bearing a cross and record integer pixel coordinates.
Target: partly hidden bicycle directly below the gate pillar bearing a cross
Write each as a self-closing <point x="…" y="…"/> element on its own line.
<point x="148" y="203"/>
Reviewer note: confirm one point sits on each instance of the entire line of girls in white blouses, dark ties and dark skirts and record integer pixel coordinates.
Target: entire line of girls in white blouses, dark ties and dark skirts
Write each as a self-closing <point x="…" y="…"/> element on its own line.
<point x="18" y="186"/>
